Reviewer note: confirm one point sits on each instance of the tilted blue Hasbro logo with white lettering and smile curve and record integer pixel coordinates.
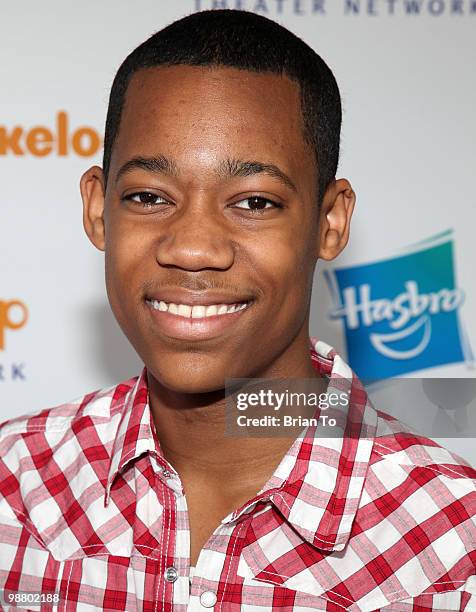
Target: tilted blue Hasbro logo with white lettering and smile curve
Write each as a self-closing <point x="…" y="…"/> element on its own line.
<point x="401" y="314"/>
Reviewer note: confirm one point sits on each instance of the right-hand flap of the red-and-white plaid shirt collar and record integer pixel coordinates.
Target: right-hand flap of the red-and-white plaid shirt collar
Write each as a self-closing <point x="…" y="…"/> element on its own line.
<point x="318" y="485"/>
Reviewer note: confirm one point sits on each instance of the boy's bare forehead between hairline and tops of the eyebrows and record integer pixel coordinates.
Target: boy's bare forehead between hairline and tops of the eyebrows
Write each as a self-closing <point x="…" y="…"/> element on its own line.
<point x="186" y="99"/>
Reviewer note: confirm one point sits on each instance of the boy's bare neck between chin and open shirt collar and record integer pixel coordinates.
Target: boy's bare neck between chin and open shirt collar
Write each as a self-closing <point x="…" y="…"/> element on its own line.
<point x="191" y="432"/>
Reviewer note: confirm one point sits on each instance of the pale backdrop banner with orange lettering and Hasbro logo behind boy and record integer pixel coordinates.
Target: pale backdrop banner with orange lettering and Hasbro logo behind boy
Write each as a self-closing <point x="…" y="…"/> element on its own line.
<point x="398" y="304"/>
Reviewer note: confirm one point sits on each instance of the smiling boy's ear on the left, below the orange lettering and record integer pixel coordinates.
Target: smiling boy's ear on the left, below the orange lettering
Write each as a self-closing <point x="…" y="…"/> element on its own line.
<point x="93" y="193"/>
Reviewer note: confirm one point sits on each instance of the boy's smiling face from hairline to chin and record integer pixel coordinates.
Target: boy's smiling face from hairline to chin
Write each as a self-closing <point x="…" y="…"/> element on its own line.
<point x="211" y="202"/>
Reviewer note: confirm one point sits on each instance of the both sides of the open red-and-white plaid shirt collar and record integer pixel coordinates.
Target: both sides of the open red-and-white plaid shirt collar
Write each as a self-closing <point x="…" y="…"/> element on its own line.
<point x="318" y="484"/>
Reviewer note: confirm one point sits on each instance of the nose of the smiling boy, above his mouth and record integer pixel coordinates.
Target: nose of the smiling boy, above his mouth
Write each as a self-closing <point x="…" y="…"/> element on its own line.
<point x="196" y="237"/>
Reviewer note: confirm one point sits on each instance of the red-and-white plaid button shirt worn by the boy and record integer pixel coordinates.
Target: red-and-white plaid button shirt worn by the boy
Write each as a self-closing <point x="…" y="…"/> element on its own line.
<point x="91" y="510"/>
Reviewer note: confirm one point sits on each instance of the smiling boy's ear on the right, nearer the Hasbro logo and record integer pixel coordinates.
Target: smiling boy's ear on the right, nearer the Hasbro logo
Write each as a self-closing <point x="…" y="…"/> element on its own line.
<point x="334" y="218"/>
